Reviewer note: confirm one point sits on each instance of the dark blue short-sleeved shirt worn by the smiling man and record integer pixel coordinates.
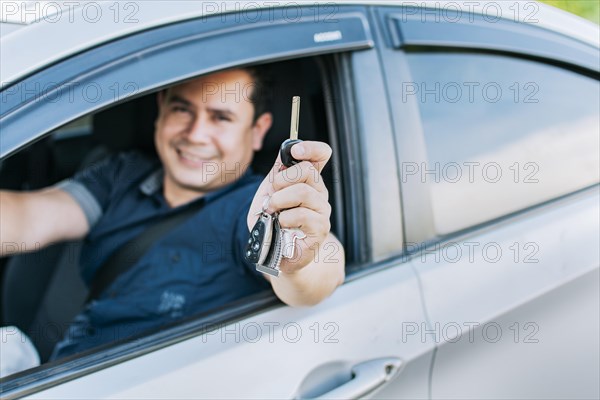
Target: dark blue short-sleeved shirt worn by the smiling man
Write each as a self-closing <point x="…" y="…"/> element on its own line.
<point x="197" y="266"/>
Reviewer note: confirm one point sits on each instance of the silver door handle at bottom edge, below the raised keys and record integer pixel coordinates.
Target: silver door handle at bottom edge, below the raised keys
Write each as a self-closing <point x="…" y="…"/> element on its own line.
<point x="366" y="377"/>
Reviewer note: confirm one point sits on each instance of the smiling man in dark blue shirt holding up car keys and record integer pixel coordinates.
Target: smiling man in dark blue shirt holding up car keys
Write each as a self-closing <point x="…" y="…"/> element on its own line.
<point x="205" y="137"/>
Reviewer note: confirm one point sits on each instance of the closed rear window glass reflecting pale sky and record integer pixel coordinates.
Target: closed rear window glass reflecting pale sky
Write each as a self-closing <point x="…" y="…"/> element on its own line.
<point x="502" y="134"/>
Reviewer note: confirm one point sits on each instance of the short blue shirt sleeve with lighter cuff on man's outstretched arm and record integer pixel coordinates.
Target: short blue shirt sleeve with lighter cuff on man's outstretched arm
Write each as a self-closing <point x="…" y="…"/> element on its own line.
<point x="92" y="187"/>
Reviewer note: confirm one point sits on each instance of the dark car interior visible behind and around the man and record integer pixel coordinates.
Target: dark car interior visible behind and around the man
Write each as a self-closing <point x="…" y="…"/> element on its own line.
<point x="41" y="291"/>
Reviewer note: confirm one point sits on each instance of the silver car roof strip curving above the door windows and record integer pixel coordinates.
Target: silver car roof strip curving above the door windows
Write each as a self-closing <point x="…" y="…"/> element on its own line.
<point x="66" y="31"/>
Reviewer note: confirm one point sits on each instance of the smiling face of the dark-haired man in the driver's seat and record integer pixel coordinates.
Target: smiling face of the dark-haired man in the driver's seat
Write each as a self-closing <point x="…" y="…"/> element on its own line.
<point x="205" y="135"/>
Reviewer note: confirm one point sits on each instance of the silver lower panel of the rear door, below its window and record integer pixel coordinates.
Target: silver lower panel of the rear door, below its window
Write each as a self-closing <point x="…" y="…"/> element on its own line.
<point x="528" y="320"/>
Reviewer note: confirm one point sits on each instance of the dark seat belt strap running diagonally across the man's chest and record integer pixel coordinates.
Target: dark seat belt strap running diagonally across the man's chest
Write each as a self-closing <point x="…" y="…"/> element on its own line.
<point x="130" y="253"/>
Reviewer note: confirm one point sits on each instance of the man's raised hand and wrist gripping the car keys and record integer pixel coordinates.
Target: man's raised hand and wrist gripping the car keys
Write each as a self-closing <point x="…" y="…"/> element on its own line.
<point x="299" y="195"/>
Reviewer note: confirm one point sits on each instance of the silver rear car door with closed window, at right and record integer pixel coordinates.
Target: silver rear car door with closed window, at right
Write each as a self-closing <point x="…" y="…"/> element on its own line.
<point x="497" y="139"/>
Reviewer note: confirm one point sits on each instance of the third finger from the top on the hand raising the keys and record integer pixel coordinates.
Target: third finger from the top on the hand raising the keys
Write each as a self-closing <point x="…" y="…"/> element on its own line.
<point x="300" y="195"/>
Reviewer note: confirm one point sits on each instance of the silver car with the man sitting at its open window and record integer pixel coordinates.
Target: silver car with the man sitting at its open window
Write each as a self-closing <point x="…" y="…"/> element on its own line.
<point x="464" y="184"/>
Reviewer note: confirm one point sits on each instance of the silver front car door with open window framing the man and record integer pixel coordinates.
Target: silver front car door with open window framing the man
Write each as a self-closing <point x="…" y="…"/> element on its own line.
<point x="353" y="343"/>
